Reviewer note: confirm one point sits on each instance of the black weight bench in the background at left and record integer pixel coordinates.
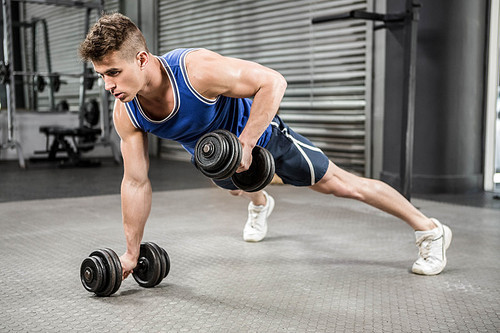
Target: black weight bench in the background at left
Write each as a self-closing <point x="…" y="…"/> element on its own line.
<point x="72" y="142"/>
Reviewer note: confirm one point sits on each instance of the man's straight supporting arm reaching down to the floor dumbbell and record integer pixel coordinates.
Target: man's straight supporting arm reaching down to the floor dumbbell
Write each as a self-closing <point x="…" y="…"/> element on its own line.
<point x="136" y="188"/>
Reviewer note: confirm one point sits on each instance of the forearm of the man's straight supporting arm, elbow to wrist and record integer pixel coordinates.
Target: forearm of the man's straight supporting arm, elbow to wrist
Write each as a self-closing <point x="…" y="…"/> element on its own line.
<point x="136" y="206"/>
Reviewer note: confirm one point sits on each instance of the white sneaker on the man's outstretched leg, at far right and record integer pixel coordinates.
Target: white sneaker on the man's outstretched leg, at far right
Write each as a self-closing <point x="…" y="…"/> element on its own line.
<point x="432" y="247"/>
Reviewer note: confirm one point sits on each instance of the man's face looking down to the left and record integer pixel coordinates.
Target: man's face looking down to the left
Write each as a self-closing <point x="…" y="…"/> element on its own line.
<point x="121" y="76"/>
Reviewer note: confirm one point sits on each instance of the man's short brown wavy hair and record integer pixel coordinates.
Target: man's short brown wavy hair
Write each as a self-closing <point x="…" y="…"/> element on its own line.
<point x="112" y="32"/>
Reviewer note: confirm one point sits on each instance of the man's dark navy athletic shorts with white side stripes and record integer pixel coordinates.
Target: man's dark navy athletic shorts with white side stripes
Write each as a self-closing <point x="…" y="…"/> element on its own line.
<point x="298" y="162"/>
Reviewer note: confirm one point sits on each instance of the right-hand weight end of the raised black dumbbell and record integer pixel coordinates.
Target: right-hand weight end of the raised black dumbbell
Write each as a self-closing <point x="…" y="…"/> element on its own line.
<point x="260" y="173"/>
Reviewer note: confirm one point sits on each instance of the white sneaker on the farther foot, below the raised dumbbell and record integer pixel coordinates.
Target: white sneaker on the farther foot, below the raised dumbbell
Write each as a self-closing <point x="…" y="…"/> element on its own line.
<point x="256" y="227"/>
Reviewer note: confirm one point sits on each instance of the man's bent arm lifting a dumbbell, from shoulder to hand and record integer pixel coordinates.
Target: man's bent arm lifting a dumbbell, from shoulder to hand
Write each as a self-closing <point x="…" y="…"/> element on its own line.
<point x="212" y="75"/>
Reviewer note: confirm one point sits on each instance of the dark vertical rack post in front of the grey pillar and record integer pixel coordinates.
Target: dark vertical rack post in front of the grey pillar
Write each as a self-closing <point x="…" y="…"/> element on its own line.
<point x="408" y="117"/>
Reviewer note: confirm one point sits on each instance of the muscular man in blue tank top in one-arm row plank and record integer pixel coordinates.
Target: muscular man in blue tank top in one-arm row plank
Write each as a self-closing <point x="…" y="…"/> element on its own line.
<point x="189" y="92"/>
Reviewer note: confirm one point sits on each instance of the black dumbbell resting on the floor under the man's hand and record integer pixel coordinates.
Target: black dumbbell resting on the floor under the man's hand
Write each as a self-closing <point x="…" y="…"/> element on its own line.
<point x="101" y="271"/>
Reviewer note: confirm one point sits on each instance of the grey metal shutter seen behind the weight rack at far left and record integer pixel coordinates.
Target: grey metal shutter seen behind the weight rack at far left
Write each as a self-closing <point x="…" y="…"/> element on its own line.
<point x="66" y="30"/>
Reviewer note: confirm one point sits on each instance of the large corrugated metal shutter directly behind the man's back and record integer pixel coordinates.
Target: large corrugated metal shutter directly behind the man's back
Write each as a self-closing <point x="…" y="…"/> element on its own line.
<point x="327" y="66"/>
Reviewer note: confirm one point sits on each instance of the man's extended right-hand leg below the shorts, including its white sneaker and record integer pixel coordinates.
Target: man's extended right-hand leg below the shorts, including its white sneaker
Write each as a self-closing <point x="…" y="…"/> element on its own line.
<point x="432" y="238"/>
